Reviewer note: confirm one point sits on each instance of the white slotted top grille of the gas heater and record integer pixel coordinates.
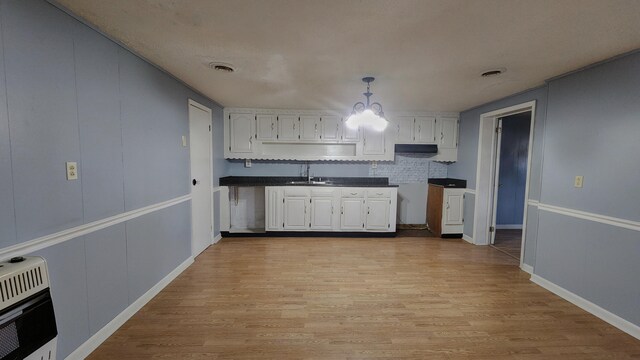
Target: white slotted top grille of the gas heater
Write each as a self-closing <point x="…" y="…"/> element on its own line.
<point x="21" y="280"/>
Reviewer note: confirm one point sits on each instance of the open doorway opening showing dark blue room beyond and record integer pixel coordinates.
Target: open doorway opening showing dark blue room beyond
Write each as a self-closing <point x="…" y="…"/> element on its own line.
<point x="511" y="177"/>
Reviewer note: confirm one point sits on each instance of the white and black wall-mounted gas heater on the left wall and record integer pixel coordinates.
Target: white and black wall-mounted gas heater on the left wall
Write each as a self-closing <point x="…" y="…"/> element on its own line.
<point x="27" y="322"/>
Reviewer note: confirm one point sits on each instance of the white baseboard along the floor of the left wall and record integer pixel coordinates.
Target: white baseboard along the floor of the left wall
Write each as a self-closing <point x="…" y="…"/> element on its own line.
<point x="98" y="338"/>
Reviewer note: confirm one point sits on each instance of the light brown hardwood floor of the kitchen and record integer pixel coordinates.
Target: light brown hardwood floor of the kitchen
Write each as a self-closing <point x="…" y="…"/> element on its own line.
<point x="345" y="298"/>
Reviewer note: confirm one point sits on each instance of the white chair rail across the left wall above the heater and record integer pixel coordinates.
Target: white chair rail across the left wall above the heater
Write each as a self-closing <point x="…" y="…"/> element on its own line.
<point x="68" y="234"/>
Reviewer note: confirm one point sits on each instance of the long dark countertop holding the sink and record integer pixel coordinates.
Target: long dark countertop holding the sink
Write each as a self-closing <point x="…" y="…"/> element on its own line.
<point x="302" y="181"/>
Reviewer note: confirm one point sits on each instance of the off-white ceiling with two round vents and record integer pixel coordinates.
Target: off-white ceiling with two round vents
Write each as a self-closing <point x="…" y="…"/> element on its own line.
<point x="311" y="54"/>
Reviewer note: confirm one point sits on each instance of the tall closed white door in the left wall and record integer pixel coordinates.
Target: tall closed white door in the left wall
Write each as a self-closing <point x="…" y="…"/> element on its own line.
<point x="201" y="186"/>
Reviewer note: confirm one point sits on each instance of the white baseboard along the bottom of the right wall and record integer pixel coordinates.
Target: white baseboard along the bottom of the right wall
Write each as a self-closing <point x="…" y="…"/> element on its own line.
<point x="611" y="318"/>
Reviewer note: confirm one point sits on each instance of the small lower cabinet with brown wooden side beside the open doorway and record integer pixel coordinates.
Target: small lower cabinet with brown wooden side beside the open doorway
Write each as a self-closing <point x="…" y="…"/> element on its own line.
<point x="445" y="210"/>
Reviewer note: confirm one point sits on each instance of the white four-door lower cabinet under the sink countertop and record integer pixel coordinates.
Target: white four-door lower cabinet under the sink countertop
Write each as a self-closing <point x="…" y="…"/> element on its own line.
<point x="324" y="208"/>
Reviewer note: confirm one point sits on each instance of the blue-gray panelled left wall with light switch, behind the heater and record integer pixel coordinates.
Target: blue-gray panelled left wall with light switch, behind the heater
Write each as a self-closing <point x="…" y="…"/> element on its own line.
<point x="69" y="94"/>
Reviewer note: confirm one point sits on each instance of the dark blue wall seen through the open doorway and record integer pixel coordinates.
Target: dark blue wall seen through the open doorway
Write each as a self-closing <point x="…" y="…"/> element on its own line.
<point x="514" y="149"/>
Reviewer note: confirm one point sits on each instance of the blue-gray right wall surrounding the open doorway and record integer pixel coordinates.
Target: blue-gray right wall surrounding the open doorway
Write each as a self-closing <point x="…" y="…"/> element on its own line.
<point x="587" y="123"/>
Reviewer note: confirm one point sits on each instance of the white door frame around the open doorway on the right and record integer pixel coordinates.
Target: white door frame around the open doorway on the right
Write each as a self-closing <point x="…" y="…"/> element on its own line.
<point x="485" y="172"/>
